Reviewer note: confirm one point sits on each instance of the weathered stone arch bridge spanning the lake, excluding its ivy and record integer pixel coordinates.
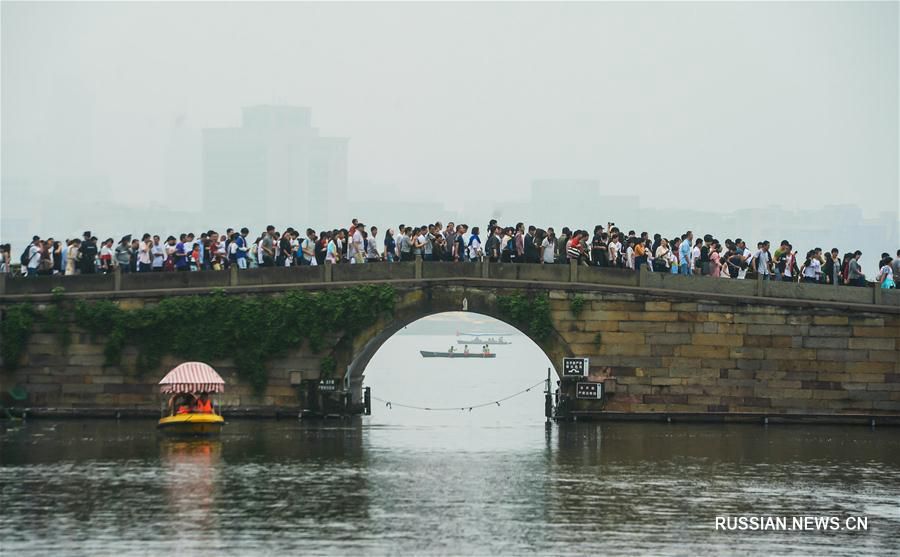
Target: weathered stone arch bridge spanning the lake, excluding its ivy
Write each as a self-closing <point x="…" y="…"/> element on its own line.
<point x="662" y="345"/>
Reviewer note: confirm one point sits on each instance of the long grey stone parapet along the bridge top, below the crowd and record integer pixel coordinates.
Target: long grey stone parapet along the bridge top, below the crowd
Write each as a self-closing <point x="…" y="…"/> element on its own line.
<point x="419" y="270"/>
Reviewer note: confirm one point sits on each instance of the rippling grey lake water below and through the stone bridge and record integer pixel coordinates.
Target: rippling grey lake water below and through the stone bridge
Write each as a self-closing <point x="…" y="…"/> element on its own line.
<point x="495" y="480"/>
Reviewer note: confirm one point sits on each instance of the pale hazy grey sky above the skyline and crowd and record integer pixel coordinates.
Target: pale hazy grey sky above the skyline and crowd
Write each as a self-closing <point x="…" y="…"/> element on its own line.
<point x="686" y="104"/>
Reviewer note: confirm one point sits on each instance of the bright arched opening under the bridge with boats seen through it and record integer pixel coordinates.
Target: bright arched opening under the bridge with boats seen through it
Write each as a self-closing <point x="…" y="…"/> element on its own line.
<point x="444" y="386"/>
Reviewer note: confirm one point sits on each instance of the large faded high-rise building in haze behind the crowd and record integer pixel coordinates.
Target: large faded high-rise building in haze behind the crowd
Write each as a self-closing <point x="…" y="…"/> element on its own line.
<point x="274" y="169"/>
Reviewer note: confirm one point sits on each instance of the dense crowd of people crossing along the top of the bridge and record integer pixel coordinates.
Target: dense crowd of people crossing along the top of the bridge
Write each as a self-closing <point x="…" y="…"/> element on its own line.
<point x="607" y="246"/>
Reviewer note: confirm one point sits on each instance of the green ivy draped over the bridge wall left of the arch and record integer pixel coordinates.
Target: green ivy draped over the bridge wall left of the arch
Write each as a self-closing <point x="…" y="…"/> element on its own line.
<point x="250" y="329"/>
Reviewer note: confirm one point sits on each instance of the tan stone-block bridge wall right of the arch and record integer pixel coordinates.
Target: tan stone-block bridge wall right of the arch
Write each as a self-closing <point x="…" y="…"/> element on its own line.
<point x="712" y="357"/>
